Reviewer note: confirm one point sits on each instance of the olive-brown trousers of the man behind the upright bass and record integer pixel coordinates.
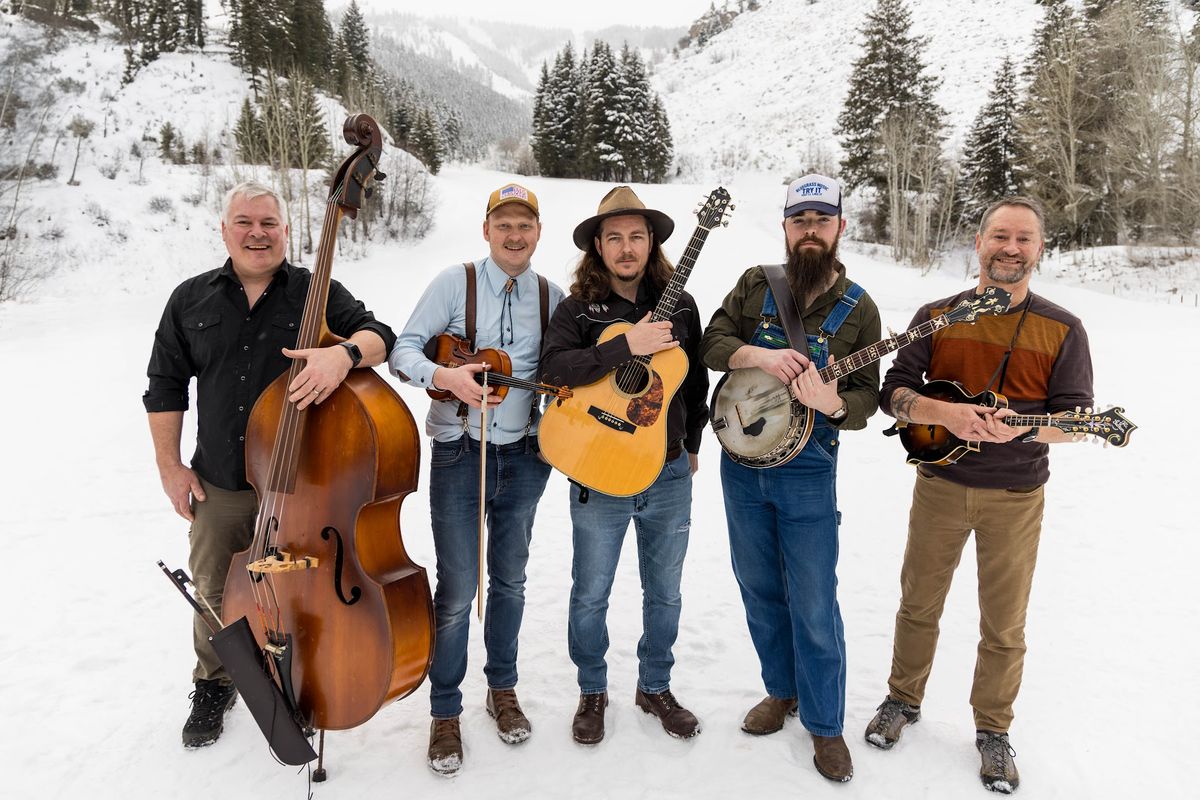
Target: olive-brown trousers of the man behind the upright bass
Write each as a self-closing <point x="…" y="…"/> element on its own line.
<point x="224" y="526"/>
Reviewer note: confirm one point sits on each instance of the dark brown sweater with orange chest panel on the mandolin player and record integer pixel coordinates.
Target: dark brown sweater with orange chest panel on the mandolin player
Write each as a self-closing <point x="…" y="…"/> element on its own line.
<point x="1051" y="371"/>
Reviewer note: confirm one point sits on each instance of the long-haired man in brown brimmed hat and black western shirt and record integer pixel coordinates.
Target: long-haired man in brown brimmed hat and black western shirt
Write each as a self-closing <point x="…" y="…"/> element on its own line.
<point x="621" y="278"/>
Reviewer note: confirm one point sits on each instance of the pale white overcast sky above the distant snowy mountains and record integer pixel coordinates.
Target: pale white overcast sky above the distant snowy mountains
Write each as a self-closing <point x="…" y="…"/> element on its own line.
<point x="551" y="14"/>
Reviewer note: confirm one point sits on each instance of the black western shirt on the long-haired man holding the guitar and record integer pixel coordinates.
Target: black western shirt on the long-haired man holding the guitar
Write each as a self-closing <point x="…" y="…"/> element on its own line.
<point x="571" y="356"/>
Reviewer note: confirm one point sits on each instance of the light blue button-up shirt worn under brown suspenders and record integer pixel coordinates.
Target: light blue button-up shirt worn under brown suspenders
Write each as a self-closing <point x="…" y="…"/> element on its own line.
<point x="506" y="321"/>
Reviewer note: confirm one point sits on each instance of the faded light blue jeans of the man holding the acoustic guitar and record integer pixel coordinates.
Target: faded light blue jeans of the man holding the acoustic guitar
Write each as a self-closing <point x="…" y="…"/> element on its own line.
<point x="662" y="518"/>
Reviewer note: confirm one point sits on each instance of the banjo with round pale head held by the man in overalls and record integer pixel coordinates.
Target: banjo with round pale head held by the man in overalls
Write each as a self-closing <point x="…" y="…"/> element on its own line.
<point x="760" y="424"/>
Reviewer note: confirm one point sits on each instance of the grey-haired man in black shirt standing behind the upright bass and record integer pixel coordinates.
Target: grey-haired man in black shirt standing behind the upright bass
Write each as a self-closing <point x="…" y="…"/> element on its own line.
<point x="232" y="329"/>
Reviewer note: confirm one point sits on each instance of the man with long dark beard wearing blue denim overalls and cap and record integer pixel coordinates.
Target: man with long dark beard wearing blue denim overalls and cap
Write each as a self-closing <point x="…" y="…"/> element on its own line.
<point x="783" y="521"/>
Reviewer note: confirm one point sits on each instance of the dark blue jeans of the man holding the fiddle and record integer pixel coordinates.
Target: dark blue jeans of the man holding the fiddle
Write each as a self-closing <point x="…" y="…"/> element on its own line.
<point x="517" y="478"/>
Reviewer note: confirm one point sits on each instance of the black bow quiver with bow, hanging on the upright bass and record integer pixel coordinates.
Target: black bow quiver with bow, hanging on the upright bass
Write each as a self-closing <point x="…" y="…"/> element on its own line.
<point x="251" y="670"/>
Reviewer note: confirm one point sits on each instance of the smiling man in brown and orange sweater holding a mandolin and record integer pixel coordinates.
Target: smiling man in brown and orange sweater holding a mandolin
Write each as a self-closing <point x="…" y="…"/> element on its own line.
<point x="1036" y="356"/>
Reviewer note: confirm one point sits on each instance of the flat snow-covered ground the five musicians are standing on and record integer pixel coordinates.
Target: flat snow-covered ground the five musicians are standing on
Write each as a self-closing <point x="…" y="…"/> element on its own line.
<point x="95" y="682"/>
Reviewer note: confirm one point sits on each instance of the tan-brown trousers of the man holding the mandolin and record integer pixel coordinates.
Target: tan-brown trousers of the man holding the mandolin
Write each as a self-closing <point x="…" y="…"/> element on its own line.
<point x="1007" y="525"/>
